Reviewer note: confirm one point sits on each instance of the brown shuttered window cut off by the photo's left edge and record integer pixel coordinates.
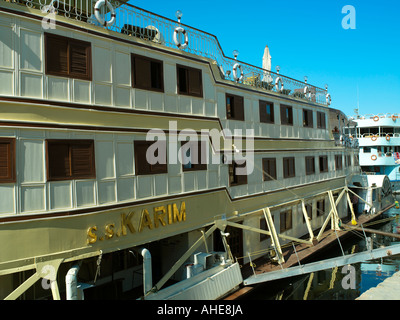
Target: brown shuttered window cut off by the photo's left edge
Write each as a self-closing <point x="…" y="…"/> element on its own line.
<point x="7" y="160"/>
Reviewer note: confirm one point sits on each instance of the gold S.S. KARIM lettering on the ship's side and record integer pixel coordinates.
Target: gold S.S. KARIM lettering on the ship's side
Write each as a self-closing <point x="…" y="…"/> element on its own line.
<point x="161" y="216"/>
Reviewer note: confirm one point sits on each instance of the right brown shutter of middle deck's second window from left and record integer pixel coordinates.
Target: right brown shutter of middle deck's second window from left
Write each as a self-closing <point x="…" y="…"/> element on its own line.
<point x="82" y="160"/>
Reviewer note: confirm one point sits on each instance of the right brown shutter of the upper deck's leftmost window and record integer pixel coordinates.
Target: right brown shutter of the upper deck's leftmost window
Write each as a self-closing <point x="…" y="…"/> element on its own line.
<point x="79" y="54"/>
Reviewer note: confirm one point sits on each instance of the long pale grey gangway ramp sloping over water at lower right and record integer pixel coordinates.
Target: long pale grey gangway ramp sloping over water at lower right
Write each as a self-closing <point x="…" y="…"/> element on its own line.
<point x="323" y="264"/>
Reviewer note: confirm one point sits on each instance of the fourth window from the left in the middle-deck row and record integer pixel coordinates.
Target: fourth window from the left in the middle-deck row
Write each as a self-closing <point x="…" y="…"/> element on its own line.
<point x="194" y="155"/>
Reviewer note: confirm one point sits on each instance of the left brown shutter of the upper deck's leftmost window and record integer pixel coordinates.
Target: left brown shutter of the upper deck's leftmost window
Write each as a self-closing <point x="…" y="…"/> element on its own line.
<point x="57" y="55"/>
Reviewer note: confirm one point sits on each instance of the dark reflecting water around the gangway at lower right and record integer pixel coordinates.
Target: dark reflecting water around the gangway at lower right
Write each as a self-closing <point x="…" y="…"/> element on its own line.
<point x="327" y="284"/>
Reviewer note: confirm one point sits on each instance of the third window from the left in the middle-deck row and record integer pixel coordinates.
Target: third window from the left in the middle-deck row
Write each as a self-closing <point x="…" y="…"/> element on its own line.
<point x="152" y="162"/>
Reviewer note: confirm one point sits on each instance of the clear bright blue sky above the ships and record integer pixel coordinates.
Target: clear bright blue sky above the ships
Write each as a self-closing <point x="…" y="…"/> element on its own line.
<point x="306" y="38"/>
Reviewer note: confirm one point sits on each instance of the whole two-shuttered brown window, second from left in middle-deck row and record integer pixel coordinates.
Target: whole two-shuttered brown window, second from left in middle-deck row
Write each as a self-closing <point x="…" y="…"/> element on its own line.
<point x="70" y="159"/>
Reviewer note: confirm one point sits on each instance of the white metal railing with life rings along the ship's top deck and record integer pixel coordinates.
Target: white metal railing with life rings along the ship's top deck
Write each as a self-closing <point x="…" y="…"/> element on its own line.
<point x="143" y="24"/>
